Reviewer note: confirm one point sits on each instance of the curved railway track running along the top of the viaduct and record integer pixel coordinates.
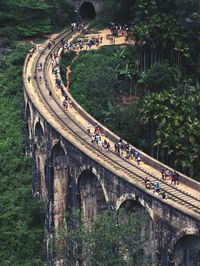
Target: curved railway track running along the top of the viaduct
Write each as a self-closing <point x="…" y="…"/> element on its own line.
<point x="138" y="174"/>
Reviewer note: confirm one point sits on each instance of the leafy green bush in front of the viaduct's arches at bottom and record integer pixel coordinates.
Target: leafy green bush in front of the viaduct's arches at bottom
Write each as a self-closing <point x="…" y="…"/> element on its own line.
<point x="112" y="239"/>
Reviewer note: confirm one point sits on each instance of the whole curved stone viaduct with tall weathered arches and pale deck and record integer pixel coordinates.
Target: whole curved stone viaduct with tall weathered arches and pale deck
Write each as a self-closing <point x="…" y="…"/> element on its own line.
<point x="69" y="171"/>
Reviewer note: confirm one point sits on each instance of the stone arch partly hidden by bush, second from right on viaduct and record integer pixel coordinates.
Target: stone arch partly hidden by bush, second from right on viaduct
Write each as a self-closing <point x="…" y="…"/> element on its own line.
<point x="146" y="238"/>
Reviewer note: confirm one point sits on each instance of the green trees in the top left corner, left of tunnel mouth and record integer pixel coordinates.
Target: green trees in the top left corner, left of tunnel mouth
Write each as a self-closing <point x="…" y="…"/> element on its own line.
<point x="26" y="18"/>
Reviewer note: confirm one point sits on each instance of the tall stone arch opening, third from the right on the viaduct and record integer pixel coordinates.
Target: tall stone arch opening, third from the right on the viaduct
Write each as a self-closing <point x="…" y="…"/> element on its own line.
<point x="92" y="200"/>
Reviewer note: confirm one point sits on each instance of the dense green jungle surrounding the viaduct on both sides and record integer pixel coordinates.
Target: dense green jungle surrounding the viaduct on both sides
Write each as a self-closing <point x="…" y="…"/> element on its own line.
<point x="148" y="93"/>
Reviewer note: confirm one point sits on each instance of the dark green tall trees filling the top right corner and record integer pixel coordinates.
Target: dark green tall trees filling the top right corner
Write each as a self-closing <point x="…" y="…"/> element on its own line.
<point x="167" y="31"/>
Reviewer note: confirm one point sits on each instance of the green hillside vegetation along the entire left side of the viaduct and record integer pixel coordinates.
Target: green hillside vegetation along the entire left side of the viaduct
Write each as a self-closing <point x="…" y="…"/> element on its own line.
<point x="21" y="216"/>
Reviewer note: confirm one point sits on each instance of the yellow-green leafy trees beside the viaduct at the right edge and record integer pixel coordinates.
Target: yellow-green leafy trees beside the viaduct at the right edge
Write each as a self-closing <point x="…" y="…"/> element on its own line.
<point x="174" y="118"/>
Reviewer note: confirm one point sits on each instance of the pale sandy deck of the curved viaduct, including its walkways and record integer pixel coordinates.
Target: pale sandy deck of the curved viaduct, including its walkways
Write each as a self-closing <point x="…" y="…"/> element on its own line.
<point x="72" y="126"/>
